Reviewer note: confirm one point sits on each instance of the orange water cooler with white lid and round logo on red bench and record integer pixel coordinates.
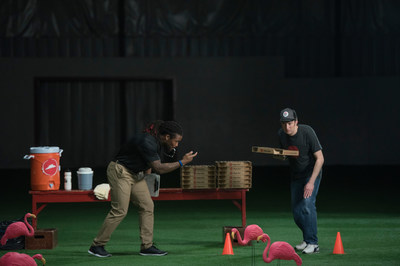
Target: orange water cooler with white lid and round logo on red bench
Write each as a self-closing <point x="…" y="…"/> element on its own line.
<point x="45" y="167"/>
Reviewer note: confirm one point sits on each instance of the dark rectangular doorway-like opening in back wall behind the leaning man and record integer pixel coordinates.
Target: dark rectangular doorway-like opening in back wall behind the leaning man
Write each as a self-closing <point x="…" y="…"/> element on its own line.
<point x="89" y="120"/>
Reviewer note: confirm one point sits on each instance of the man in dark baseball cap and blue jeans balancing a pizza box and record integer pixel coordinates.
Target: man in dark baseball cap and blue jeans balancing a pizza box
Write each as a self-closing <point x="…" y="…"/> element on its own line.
<point x="306" y="174"/>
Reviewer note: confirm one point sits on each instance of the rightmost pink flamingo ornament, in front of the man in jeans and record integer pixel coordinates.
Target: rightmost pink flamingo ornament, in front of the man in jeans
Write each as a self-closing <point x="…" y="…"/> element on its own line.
<point x="280" y="250"/>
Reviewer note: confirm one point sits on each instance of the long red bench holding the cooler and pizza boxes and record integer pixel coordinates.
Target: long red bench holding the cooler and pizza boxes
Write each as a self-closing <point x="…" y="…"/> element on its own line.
<point x="40" y="199"/>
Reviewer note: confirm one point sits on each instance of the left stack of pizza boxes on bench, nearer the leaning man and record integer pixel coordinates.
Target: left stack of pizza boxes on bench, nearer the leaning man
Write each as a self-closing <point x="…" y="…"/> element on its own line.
<point x="198" y="176"/>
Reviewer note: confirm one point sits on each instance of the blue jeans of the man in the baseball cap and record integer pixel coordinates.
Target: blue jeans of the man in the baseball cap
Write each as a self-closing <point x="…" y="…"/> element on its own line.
<point x="304" y="210"/>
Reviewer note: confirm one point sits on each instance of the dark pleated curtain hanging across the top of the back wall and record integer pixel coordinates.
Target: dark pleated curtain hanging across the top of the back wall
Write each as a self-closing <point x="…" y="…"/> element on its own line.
<point x="325" y="38"/>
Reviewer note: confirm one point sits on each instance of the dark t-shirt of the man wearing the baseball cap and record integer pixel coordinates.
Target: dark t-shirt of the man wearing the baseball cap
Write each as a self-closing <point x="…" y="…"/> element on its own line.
<point x="307" y="143"/>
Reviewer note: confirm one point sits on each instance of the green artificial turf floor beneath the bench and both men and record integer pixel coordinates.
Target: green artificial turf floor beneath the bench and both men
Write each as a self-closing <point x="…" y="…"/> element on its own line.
<point x="192" y="231"/>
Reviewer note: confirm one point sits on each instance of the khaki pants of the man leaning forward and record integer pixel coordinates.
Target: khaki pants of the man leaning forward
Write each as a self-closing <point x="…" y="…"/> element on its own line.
<point x="126" y="188"/>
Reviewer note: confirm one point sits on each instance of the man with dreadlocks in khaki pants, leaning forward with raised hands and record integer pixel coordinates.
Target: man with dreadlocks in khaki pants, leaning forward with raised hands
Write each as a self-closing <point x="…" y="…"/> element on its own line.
<point x="138" y="157"/>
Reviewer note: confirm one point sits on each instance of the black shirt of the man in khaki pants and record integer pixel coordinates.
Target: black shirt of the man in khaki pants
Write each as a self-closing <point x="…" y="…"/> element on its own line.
<point x="138" y="152"/>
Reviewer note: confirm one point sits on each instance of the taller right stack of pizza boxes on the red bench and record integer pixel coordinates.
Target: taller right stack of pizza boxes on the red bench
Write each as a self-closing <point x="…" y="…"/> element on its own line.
<point x="234" y="174"/>
